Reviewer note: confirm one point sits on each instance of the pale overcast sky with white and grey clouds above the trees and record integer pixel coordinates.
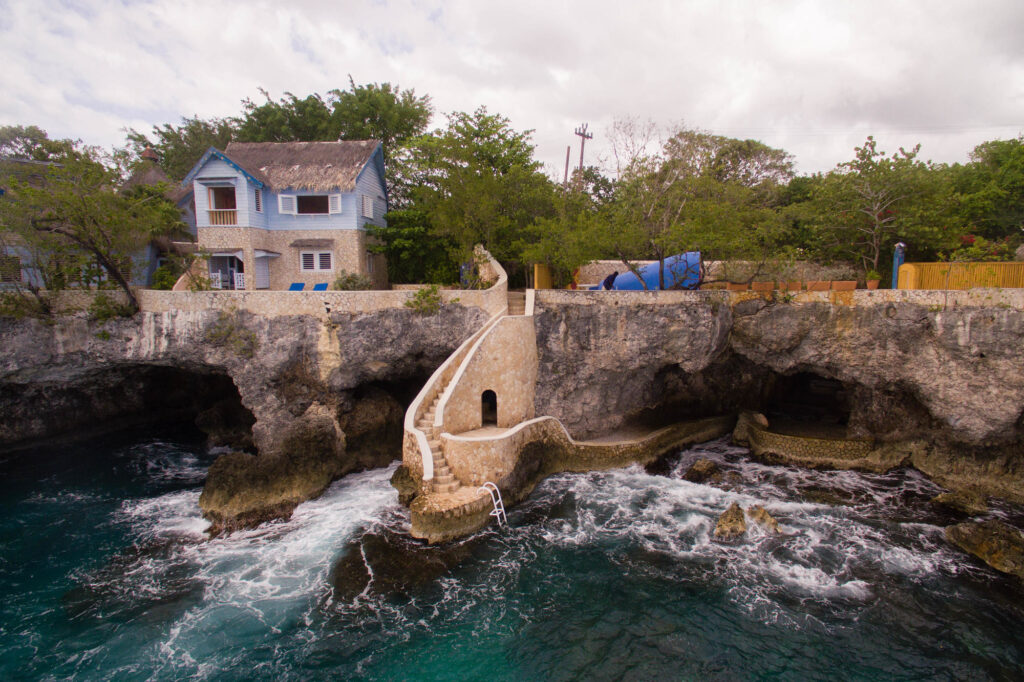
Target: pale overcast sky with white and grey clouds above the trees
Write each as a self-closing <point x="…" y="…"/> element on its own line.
<point x="814" y="78"/>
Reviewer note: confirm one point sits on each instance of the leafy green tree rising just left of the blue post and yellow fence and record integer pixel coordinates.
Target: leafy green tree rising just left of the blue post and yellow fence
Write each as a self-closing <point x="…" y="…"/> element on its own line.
<point x="875" y="200"/>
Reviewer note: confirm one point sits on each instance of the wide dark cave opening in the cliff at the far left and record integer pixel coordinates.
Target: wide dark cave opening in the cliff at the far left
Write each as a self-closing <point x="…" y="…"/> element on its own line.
<point x="196" y="404"/>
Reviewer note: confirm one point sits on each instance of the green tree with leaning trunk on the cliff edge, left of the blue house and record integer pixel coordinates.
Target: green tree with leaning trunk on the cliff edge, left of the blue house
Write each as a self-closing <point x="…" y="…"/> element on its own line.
<point x="80" y="228"/>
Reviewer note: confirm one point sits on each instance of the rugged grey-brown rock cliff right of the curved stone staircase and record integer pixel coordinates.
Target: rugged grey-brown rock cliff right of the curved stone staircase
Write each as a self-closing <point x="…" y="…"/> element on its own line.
<point x="945" y="386"/>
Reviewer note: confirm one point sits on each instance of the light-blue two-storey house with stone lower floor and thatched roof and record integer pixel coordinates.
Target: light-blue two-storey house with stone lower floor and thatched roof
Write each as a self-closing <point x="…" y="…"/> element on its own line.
<point x="273" y="215"/>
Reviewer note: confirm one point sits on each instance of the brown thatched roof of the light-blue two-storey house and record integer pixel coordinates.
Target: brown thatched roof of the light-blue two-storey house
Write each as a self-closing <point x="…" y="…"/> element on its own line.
<point x="315" y="166"/>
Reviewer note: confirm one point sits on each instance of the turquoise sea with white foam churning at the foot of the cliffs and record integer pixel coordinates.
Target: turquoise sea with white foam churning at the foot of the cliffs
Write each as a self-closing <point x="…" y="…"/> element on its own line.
<point x="106" y="574"/>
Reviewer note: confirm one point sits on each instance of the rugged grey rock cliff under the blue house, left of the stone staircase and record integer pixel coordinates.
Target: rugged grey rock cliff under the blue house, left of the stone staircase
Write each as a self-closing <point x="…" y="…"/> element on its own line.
<point x="323" y="395"/>
